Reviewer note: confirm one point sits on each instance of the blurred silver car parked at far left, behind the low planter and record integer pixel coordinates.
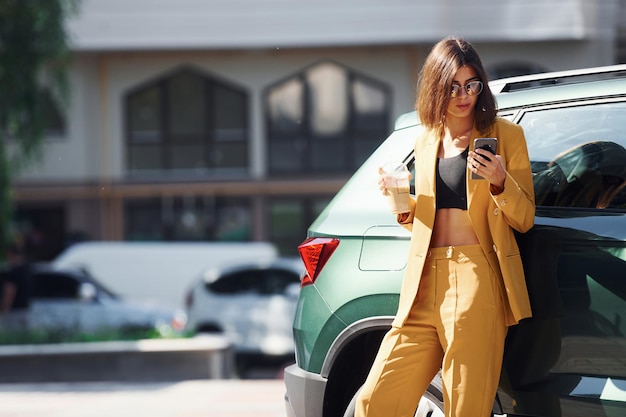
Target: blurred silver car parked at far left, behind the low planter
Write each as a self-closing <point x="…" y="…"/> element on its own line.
<point x="71" y="301"/>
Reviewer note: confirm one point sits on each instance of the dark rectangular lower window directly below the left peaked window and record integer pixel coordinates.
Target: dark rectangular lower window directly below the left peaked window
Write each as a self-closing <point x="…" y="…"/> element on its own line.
<point x="189" y="218"/>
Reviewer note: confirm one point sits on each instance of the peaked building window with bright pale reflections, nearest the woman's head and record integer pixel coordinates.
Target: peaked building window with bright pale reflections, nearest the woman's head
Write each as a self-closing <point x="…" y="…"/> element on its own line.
<point x="325" y="119"/>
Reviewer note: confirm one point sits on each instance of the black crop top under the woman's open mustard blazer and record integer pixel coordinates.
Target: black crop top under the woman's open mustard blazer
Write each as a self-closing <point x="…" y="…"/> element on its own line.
<point x="451" y="182"/>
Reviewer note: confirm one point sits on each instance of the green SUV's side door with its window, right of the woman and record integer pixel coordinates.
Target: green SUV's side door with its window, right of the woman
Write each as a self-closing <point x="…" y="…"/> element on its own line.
<point x="569" y="358"/>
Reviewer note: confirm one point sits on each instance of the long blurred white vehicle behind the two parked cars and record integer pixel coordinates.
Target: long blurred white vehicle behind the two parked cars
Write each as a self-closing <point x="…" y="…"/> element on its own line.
<point x="155" y="271"/>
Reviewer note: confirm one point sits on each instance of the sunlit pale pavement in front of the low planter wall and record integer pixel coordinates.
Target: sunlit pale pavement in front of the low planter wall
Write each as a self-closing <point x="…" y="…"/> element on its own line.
<point x="202" y="398"/>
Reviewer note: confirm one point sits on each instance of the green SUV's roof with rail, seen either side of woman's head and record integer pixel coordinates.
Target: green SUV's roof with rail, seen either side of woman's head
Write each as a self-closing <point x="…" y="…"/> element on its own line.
<point x="550" y="87"/>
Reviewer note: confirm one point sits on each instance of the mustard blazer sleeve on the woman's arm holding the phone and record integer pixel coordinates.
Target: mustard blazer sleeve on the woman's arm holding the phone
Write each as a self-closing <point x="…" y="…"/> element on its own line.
<point x="517" y="200"/>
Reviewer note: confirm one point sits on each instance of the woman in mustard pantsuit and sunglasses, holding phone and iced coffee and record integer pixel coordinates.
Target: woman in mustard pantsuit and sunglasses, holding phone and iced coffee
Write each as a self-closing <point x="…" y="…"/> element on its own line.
<point x="464" y="282"/>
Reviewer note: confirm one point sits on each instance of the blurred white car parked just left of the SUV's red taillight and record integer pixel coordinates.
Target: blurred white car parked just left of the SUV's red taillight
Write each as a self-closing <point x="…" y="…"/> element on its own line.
<point x="251" y="302"/>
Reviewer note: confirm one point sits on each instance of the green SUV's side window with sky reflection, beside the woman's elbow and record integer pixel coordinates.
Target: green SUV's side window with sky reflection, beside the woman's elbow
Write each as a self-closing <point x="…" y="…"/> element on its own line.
<point x="578" y="155"/>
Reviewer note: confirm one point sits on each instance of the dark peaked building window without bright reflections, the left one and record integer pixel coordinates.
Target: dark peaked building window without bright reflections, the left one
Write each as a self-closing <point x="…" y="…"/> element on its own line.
<point x="187" y="124"/>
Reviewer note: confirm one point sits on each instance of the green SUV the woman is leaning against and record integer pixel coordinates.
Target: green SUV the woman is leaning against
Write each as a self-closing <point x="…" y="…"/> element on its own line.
<point x="570" y="358"/>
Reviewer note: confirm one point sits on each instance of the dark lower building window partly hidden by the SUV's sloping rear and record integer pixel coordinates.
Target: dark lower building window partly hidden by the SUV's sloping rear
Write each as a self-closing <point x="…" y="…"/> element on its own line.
<point x="289" y="220"/>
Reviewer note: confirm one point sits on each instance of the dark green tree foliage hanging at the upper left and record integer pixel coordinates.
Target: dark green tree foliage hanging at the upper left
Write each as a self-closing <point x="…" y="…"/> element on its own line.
<point x="34" y="64"/>
